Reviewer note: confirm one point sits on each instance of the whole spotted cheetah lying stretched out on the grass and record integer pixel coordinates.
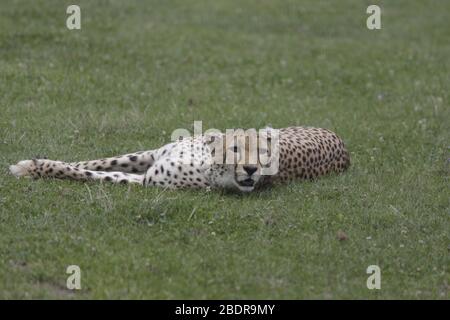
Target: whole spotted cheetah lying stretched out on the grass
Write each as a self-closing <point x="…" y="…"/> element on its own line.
<point x="210" y="161"/>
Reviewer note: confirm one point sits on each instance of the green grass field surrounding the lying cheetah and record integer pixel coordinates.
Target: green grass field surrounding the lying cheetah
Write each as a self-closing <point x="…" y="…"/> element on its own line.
<point x="137" y="70"/>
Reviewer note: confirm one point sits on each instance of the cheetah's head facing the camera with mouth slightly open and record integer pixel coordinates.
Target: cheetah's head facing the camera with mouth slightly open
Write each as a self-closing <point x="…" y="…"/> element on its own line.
<point x="242" y="159"/>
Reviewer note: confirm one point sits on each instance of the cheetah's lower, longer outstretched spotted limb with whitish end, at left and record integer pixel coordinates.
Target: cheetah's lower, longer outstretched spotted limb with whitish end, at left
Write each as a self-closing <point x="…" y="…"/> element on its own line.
<point x="43" y="168"/>
